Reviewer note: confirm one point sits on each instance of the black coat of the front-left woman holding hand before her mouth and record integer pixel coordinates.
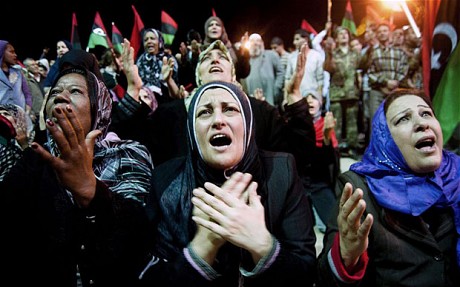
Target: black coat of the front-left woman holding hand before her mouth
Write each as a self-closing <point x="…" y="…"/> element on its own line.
<point x="45" y="236"/>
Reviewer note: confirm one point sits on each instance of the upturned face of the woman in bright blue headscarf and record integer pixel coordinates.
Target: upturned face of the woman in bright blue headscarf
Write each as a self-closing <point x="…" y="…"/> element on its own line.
<point x="416" y="132"/>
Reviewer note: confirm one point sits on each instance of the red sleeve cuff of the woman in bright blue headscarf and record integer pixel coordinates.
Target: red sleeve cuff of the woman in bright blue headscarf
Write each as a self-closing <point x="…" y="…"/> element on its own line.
<point x="347" y="276"/>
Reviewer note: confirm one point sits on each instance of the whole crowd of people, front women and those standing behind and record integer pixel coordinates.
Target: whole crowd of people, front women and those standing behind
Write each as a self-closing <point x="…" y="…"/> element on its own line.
<point x="215" y="166"/>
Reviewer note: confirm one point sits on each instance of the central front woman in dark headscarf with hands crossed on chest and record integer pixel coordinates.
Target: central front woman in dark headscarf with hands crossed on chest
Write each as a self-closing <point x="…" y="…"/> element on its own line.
<point x="229" y="214"/>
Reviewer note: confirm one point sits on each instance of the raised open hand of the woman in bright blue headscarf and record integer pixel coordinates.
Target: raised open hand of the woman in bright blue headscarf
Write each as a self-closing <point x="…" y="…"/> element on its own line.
<point x="354" y="234"/>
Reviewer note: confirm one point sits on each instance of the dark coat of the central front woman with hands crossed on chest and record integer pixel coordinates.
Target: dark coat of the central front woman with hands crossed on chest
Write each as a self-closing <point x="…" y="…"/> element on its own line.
<point x="285" y="217"/>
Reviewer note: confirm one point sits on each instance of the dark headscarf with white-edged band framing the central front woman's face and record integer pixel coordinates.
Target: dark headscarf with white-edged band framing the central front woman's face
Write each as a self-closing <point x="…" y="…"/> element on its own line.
<point x="176" y="227"/>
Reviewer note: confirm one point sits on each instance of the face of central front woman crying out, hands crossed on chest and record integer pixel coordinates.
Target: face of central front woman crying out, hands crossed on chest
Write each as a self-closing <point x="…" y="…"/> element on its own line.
<point x="219" y="129"/>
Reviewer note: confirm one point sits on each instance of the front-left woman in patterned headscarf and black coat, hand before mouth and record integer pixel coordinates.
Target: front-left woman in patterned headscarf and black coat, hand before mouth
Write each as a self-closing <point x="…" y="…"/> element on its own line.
<point x="78" y="199"/>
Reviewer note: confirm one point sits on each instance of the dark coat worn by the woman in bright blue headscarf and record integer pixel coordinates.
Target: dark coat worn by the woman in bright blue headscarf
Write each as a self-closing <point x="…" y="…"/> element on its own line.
<point x="403" y="250"/>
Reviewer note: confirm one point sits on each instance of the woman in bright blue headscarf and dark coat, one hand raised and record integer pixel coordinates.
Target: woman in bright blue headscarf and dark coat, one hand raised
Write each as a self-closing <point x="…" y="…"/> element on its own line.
<point x="398" y="219"/>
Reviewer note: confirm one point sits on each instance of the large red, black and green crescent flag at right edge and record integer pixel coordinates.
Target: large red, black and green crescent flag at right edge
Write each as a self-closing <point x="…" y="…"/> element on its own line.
<point x="444" y="76"/>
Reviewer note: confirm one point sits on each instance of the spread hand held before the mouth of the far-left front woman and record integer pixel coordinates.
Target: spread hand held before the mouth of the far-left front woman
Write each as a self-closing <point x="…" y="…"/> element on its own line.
<point x="74" y="165"/>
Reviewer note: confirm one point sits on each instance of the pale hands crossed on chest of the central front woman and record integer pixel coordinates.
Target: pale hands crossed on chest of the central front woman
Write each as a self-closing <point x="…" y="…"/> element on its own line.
<point x="230" y="213"/>
